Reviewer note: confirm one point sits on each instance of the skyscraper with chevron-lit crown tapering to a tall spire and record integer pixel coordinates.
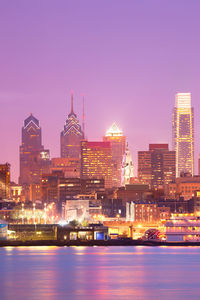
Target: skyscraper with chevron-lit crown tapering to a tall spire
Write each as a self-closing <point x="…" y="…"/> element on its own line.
<point x="71" y="136"/>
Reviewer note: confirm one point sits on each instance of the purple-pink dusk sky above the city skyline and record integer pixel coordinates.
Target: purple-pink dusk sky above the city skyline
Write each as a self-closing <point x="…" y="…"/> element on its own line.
<point x="128" y="57"/>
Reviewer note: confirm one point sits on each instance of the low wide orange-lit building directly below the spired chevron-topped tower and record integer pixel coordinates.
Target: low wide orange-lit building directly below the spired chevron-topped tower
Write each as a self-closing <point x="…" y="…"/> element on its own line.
<point x="69" y="166"/>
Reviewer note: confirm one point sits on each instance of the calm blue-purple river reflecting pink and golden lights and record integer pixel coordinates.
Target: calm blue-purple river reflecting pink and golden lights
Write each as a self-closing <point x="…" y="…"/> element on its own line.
<point x="99" y="273"/>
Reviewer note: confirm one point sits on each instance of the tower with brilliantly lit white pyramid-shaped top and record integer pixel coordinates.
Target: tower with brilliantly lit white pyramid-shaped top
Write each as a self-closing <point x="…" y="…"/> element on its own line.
<point x="115" y="136"/>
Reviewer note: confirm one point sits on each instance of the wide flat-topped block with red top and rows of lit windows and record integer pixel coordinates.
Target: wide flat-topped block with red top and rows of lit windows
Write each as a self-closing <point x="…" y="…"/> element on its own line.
<point x="96" y="161"/>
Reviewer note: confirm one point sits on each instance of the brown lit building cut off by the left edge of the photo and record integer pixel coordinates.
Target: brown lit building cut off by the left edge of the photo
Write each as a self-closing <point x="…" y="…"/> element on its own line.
<point x="5" y="181"/>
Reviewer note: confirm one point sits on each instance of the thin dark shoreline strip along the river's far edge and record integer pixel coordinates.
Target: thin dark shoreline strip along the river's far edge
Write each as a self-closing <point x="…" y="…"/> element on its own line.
<point x="6" y="243"/>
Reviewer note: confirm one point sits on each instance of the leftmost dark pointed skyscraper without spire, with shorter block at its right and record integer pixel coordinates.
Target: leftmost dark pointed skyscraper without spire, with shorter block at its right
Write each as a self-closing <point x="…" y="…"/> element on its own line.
<point x="34" y="159"/>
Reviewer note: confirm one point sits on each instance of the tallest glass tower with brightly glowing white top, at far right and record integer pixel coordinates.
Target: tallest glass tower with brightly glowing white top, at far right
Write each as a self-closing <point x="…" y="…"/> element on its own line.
<point x="183" y="133"/>
